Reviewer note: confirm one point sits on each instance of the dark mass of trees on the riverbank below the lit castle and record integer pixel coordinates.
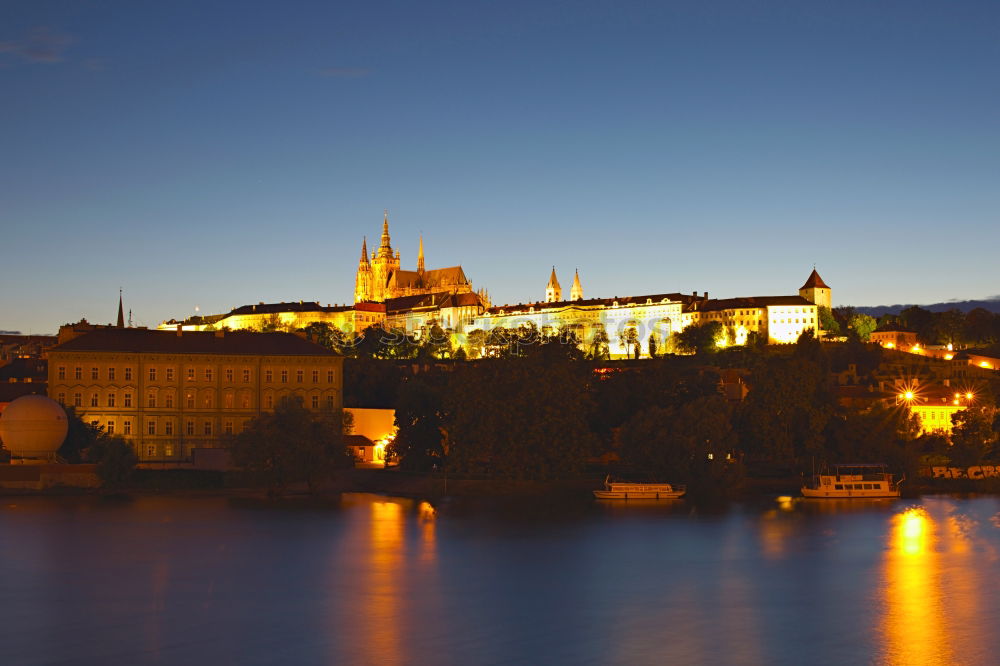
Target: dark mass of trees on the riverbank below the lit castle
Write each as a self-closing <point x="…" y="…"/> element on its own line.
<point x="552" y="414"/>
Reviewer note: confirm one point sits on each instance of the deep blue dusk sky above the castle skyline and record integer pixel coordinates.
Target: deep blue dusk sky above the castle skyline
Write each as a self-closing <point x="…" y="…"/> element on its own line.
<point x="218" y="154"/>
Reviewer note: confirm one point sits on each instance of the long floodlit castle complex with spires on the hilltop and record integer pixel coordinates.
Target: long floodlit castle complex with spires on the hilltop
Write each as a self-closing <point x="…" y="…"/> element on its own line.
<point x="415" y="300"/>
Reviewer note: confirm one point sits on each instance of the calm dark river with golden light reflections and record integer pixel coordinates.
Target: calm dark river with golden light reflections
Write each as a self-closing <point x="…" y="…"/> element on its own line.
<point x="371" y="579"/>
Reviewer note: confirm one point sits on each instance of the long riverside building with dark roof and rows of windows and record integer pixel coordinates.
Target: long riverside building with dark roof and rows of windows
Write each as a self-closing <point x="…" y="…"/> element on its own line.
<point x="171" y="392"/>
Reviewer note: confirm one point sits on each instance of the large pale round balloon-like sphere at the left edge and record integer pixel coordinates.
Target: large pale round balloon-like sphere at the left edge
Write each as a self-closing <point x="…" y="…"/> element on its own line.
<point x="33" y="426"/>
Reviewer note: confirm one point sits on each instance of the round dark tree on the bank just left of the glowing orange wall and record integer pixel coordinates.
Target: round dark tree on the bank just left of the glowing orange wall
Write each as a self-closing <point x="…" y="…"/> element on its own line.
<point x="291" y="445"/>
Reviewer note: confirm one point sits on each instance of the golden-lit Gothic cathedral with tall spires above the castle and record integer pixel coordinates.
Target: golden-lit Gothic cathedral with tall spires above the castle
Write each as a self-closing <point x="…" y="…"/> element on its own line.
<point x="380" y="278"/>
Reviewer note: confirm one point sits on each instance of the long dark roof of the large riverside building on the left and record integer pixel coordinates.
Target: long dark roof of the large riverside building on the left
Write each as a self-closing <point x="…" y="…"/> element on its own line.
<point x="133" y="340"/>
